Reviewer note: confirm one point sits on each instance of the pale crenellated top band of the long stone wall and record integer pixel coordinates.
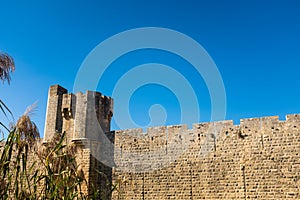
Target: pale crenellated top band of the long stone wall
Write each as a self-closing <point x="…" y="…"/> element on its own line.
<point x="208" y="129"/>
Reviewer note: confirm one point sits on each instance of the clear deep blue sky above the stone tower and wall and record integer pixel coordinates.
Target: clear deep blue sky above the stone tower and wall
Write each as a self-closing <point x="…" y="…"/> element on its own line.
<point x="254" y="44"/>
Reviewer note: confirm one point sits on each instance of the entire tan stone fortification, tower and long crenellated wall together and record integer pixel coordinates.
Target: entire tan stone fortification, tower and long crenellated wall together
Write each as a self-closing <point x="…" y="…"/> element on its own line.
<point x="256" y="159"/>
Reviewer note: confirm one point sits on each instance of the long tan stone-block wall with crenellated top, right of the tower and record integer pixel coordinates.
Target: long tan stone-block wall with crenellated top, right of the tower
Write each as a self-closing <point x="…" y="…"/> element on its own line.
<point x="258" y="159"/>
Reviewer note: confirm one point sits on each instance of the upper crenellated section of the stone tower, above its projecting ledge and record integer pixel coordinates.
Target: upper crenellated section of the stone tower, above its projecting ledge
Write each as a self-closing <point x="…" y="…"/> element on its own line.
<point x="81" y="116"/>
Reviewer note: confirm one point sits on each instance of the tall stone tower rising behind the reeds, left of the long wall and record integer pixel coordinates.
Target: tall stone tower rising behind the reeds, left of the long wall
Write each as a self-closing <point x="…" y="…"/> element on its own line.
<point x="84" y="118"/>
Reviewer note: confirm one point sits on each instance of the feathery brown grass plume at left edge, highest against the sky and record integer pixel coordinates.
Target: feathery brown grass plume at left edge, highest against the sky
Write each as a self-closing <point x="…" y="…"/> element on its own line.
<point x="7" y="66"/>
